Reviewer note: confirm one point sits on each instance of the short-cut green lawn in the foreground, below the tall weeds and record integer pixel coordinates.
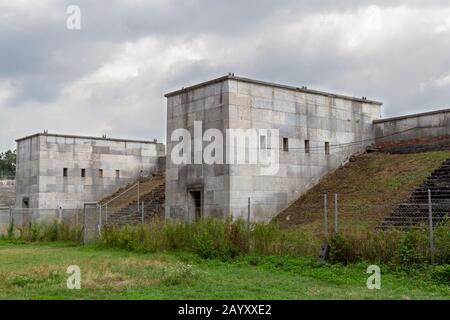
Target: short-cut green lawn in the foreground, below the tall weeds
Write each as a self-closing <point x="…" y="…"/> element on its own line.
<point x="38" y="271"/>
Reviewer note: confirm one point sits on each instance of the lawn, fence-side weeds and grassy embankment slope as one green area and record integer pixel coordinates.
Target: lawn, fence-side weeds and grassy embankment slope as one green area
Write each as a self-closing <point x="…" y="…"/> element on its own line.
<point x="223" y="259"/>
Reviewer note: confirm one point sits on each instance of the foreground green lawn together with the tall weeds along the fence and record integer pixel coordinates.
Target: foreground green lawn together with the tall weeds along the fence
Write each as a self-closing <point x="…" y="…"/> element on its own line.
<point x="219" y="259"/>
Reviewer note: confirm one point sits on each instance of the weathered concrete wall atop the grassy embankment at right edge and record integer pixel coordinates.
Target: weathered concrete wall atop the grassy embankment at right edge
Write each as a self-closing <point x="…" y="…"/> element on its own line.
<point x="414" y="133"/>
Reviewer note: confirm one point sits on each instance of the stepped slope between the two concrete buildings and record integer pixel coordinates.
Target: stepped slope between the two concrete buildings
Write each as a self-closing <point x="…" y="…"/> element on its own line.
<point x="126" y="210"/>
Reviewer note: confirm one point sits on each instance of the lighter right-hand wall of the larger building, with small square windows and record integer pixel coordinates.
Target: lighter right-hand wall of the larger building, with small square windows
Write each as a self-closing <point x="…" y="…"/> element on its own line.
<point x="298" y="116"/>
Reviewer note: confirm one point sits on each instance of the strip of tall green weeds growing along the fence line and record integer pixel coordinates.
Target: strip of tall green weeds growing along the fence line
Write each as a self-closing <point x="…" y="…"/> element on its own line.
<point x="226" y="240"/>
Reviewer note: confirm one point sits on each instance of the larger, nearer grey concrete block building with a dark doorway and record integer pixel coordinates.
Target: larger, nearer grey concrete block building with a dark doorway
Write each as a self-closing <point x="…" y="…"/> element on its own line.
<point x="318" y="131"/>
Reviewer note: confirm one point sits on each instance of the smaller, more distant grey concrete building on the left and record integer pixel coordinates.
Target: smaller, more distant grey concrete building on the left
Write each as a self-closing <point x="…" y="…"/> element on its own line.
<point x="66" y="171"/>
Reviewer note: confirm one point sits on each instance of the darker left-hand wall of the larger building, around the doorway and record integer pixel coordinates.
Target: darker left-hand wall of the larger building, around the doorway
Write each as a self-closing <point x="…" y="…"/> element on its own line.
<point x="209" y="105"/>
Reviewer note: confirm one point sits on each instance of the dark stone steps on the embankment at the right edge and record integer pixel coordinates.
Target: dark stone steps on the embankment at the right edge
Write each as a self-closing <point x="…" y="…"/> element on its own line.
<point x="414" y="211"/>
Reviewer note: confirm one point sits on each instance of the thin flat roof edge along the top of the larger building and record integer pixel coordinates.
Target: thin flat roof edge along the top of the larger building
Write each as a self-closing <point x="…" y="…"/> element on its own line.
<point x="270" y="84"/>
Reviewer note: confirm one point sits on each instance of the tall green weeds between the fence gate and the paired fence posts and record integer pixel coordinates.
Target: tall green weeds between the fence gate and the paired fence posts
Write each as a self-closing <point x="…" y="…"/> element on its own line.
<point x="211" y="238"/>
